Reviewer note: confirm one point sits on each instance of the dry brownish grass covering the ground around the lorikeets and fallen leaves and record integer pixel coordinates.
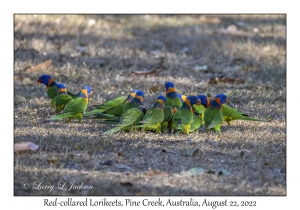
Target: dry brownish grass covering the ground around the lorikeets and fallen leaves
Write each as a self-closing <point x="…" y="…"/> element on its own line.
<point x="252" y="154"/>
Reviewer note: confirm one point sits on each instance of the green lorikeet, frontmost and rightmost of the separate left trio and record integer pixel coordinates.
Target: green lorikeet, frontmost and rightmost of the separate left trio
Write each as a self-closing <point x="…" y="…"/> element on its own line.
<point x="76" y="106"/>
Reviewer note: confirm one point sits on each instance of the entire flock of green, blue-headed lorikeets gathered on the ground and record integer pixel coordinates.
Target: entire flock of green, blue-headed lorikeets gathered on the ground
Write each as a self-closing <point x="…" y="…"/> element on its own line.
<point x="173" y="112"/>
